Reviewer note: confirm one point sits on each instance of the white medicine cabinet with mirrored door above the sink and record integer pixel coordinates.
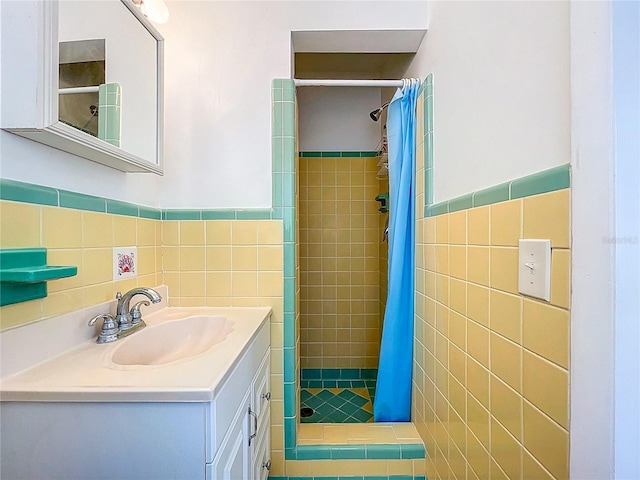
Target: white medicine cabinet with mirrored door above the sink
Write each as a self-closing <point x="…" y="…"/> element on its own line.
<point x="99" y="94"/>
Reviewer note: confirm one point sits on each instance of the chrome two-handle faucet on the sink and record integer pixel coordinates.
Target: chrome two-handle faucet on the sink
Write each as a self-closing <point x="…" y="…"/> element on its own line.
<point x="125" y="321"/>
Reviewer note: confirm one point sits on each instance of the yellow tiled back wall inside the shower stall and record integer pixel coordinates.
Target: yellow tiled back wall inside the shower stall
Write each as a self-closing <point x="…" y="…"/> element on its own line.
<point x="340" y="262"/>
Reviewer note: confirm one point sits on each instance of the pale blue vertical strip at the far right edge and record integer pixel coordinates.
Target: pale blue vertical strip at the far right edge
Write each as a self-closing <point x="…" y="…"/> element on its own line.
<point x="626" y="97"/>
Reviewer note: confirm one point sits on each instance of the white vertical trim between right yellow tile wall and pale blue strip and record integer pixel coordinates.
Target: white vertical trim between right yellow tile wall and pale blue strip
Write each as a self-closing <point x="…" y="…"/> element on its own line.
<point x="592" y="253"/>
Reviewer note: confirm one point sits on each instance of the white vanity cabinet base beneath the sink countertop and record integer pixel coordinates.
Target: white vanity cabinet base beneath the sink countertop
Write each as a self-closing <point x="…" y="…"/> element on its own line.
<point x="161" y="439"/>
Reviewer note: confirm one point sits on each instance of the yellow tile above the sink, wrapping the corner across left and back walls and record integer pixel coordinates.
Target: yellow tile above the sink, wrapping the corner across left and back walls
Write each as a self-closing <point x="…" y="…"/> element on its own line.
<point x="213" y="263"/>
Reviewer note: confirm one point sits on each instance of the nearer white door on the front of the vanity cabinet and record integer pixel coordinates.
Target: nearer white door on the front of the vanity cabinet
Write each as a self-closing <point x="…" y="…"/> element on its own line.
<point x="232" y="458"/>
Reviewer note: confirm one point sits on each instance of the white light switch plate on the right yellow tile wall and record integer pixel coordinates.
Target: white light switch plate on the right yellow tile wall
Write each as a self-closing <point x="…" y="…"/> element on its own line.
<point x="534" y="268"/>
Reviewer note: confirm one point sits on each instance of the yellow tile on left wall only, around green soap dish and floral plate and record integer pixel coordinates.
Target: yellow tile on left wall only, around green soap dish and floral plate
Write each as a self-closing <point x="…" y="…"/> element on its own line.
<point x="84" y="239"/>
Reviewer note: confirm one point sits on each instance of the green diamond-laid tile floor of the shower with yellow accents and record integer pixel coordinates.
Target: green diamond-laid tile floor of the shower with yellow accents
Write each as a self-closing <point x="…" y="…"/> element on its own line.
<point x="339" y="404"/>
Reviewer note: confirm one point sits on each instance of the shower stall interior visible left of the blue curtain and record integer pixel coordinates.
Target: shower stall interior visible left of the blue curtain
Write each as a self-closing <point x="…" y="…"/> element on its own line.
<point x="343" y="255"/>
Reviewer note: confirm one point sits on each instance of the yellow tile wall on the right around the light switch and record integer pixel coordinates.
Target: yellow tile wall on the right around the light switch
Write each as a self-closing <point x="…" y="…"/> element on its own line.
<point x="491" y="370"/>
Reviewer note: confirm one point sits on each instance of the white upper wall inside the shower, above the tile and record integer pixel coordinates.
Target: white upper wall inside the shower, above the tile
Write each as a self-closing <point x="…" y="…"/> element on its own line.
<point x="337" y="118"/>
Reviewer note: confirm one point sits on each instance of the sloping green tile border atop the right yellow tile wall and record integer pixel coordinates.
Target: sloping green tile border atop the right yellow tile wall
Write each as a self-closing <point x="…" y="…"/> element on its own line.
<point x="557" y="178"/>
